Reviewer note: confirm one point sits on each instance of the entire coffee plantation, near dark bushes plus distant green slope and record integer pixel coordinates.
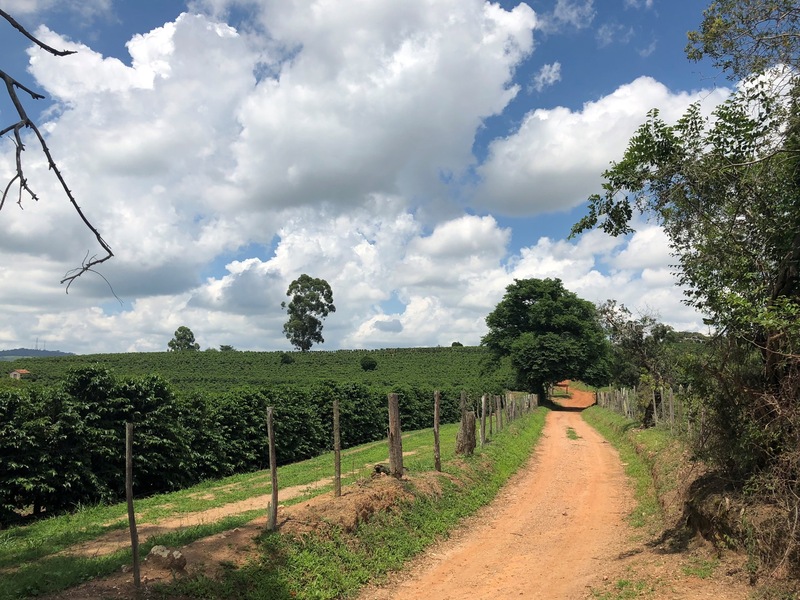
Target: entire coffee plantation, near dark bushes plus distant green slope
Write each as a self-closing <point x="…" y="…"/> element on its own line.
<point x="201" y="415"/>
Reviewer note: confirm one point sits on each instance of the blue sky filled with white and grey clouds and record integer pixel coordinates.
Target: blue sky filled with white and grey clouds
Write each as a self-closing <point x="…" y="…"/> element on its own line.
<point x="418" y="155"/>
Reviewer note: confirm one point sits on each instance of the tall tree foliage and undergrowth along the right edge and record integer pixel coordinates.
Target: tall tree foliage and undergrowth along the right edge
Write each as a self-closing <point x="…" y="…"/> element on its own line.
<point x="726" y="190"/>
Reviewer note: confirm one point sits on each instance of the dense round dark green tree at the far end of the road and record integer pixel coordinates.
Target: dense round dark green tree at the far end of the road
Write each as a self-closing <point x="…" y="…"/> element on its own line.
<point x="549" y="334"/>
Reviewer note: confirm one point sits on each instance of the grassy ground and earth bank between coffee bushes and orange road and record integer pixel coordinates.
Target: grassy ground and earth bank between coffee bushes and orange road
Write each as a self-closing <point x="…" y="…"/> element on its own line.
<point x="221" y="524"/>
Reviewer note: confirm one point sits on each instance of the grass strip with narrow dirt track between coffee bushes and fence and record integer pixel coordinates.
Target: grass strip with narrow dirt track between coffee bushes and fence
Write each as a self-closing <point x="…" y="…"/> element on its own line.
<point x="94" y="540"/>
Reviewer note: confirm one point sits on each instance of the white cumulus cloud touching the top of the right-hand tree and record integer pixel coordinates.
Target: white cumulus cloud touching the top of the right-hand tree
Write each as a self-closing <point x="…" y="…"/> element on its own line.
<point x="555" y="160"/>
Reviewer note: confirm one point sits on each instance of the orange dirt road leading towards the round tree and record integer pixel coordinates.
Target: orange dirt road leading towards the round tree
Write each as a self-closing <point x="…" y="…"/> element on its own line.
<point x="556" y="531"/>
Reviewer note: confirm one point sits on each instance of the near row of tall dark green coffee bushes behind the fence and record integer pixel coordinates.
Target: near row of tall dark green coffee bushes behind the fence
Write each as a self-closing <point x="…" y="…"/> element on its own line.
<point x="64" y="446"/>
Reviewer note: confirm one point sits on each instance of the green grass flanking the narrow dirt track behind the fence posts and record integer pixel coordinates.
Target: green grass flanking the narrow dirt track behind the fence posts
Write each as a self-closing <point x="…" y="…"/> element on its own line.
<point x="28" y="565"/>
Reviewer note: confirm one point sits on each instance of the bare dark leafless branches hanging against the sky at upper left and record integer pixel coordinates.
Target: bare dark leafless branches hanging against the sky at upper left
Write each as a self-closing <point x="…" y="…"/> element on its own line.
<point x="22" y="187"/>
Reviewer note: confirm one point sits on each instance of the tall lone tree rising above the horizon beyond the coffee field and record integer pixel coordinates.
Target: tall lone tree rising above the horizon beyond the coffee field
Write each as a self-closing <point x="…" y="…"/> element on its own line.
<point x="311" y="301"/>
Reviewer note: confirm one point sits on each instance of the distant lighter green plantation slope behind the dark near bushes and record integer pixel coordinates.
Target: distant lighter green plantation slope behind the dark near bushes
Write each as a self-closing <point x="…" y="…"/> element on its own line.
<point x="218" y="372"/>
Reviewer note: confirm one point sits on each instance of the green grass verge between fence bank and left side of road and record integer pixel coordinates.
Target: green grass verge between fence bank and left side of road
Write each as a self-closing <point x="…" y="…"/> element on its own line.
<point x="334" y="564"/>
